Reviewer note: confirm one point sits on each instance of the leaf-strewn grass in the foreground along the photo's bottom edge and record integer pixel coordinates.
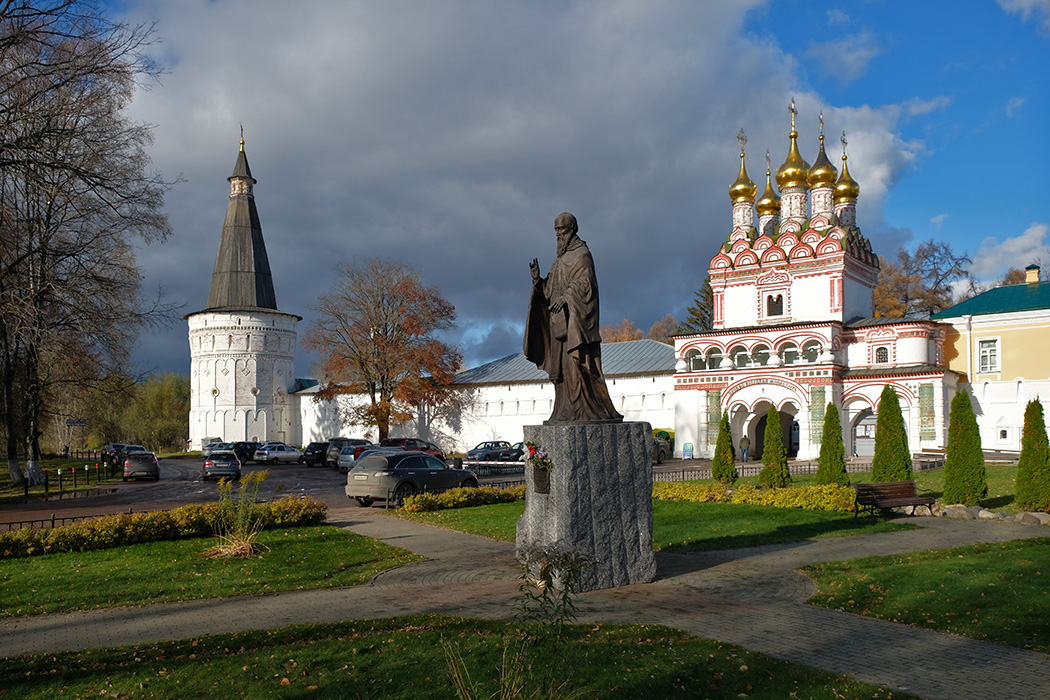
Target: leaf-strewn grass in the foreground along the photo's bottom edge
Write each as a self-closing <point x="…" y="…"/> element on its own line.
<point x="404" y="659"/>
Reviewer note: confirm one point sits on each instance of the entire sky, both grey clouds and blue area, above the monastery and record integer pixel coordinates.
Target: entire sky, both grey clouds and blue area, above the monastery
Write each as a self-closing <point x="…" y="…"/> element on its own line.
<point x="451" y="135"/>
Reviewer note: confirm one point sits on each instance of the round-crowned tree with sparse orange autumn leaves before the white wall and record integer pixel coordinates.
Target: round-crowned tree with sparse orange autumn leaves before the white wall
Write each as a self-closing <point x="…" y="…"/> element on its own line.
<point x="375" y="332"/>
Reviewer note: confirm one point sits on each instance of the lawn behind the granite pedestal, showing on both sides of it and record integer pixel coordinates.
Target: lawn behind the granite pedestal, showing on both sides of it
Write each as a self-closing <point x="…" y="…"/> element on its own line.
<point x="685" y="527"/>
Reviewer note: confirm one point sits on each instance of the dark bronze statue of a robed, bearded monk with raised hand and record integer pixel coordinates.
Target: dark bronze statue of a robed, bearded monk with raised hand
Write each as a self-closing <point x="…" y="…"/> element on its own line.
<point x="562" y="331"/>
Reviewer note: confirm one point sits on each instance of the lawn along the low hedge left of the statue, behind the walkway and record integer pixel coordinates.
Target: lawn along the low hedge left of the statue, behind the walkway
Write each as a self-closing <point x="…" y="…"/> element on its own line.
<point x="296" y="559"/>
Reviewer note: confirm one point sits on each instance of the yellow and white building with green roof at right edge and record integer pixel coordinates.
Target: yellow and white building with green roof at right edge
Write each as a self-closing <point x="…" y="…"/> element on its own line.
<point x="1000" y="344"/>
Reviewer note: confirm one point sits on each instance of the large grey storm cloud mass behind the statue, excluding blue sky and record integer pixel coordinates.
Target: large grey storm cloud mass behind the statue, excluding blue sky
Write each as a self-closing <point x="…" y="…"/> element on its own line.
<point x="449" y="136"/>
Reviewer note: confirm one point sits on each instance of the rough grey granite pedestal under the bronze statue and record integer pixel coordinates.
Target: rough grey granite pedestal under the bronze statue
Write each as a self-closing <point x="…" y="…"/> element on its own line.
<point x="599" y="504"/>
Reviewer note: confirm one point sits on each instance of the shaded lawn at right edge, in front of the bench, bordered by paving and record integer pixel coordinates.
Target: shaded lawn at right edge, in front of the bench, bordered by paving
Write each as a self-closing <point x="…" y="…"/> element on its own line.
<point x="991" y="592"/>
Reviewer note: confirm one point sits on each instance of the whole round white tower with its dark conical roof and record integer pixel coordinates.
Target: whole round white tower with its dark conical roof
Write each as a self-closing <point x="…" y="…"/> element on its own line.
<point x="242" y="348"/>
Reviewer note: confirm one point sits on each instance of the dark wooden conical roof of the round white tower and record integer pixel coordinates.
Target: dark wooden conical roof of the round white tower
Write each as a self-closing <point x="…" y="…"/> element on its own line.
<point x="242" y="278"/>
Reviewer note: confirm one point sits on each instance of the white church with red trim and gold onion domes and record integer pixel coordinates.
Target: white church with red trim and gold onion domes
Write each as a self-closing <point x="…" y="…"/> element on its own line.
<point x="794" y="326"/>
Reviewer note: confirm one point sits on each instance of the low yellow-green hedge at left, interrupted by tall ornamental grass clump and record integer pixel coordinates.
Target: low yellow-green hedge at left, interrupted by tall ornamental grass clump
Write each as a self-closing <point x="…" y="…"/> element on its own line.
<point x="124" y="529"/>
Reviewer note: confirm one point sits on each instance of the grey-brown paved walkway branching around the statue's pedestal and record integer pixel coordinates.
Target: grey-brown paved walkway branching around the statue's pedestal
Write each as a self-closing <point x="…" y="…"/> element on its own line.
<point x="752" y="598"/>
